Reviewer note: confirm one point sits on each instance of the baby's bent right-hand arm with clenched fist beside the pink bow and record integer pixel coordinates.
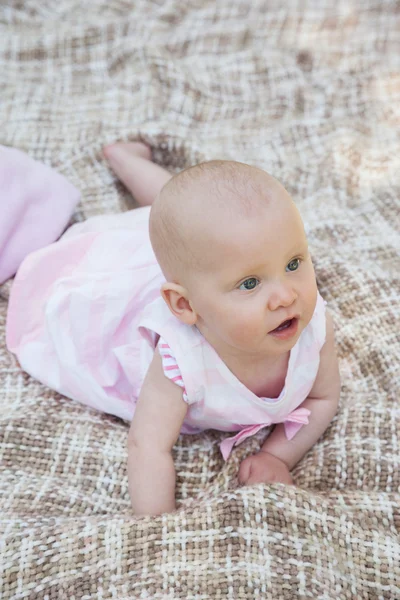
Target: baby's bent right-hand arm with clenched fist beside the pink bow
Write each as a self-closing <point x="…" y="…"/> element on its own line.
<point x="278" y="455"/>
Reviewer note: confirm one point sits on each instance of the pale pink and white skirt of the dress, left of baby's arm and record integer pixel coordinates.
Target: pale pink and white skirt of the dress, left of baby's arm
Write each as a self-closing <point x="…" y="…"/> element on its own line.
<point x="81" y="300"/>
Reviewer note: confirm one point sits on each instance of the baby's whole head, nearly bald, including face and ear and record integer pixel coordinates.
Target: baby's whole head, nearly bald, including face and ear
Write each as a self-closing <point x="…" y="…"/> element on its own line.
<point x="232" y="247"/>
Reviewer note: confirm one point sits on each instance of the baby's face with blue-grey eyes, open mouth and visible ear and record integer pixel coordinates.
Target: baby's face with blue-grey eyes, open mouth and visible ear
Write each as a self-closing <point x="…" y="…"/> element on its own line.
<point x="257" y="291"/>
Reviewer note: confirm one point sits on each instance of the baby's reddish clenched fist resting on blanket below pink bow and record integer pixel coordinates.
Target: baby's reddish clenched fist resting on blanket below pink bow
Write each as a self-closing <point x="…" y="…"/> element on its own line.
<point x="263" y="468"/>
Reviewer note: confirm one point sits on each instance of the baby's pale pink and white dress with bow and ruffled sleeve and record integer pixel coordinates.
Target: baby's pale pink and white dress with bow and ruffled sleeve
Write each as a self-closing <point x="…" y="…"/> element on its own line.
<point x="85" y="316"/>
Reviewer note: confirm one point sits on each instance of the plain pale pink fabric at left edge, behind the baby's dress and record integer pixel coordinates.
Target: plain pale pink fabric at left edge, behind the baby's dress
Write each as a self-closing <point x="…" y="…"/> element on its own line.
<point x="36" y="203"/>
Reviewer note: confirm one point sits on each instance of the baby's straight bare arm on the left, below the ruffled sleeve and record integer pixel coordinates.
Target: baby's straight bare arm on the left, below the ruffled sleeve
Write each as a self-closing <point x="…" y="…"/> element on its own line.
<point x="158" y="418"/>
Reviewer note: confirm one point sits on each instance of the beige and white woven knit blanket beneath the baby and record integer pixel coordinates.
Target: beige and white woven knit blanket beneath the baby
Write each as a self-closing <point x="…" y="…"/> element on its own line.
<point x="310" y="91"/>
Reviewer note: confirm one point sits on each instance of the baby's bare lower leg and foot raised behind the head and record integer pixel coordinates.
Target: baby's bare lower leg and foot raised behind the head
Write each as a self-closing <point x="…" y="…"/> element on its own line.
<point x="132" y="164"/>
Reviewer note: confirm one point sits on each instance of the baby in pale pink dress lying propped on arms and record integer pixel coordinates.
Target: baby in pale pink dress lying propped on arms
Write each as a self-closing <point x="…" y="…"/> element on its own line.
<point x="237" y="340"/>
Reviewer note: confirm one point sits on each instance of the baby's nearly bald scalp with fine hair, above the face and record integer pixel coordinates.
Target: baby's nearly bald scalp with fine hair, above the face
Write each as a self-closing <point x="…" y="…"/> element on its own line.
<point x="194" y="205"/>
